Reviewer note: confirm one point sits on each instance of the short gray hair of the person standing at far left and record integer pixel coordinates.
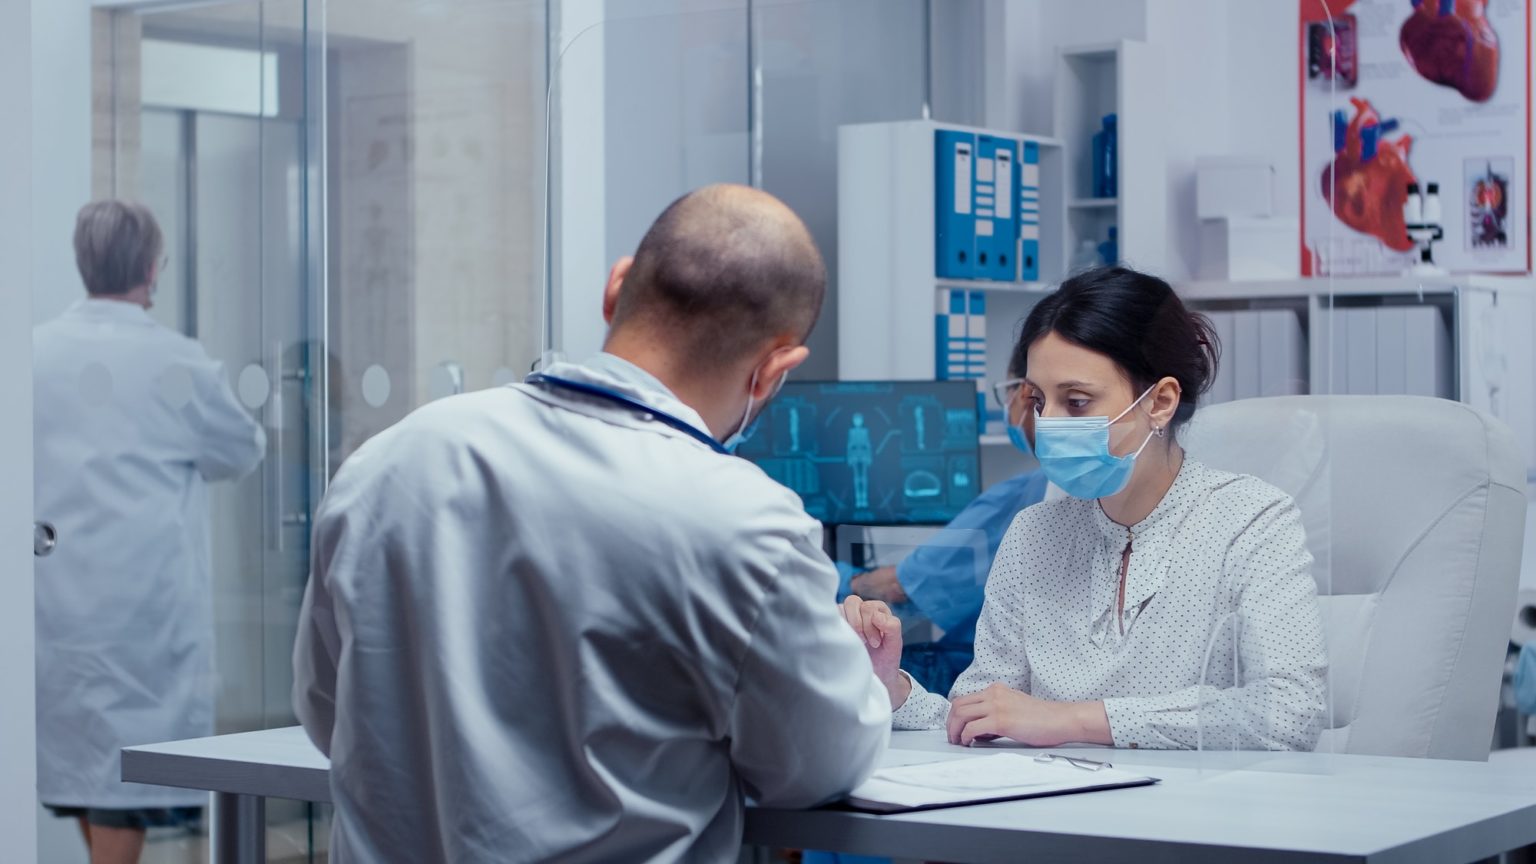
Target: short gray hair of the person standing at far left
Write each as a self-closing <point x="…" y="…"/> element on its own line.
<point x="118" y="245"/>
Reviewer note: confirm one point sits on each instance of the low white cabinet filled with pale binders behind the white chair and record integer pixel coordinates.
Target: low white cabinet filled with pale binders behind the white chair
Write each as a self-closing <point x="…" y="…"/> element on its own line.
<point x="1462" y="337"/>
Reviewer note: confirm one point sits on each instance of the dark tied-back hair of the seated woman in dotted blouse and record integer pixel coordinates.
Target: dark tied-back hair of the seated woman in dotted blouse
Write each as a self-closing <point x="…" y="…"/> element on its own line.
<point x="1137" y="322"/>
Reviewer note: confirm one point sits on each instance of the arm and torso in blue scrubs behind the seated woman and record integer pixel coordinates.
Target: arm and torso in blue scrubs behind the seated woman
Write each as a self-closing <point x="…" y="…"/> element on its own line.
<point x="944" y="582"/>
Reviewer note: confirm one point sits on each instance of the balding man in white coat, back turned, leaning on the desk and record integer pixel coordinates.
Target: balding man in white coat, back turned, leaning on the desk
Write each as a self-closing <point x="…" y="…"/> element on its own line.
<point x="558" y="622"/>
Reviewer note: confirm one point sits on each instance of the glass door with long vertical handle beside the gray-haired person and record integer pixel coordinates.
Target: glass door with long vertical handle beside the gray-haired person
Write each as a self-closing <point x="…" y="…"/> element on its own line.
<point x="214" y="128"/>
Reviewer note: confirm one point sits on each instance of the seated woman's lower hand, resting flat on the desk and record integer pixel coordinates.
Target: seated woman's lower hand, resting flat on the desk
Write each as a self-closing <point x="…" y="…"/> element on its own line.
<point x="1004" y="713"/>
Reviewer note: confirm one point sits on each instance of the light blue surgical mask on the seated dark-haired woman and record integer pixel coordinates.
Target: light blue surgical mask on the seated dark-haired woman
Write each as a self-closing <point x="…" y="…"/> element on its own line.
<point x="1074" y="453"/>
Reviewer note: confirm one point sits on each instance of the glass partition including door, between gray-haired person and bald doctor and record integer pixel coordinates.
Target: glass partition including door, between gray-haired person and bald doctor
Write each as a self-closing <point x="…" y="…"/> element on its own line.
<point x="353" y="201"/>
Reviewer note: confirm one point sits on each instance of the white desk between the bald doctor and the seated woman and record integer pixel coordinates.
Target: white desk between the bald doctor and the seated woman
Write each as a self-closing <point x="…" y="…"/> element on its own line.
<point x="1250" y="808"/>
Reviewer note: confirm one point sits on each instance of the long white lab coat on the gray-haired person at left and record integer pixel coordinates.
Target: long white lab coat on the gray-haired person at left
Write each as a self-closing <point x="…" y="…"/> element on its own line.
<point x="130" y="424"/>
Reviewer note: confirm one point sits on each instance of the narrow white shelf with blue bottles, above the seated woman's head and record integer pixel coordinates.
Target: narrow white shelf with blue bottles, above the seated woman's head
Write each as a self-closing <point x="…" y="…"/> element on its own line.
<point x="1124" y="79"/>
